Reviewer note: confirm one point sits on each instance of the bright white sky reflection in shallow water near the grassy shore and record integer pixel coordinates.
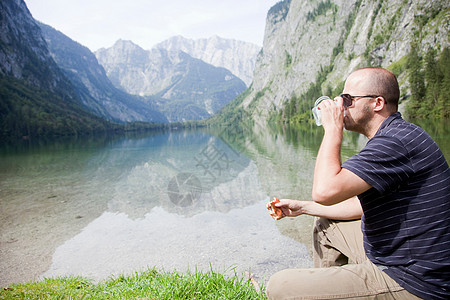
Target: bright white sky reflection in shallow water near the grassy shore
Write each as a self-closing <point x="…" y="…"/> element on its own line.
<point x="115" y="244"/>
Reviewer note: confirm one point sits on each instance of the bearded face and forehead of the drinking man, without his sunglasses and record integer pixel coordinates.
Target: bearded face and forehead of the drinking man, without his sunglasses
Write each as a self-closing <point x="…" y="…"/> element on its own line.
<point x="360" y="113"/>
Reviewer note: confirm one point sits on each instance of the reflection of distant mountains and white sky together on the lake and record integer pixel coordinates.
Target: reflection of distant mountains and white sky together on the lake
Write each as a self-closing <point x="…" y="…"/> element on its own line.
<point x="225" y="225"/>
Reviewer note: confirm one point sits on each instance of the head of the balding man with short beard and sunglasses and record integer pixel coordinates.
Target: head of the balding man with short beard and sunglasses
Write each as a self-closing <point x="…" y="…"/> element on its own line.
<point x="379" y="94"/>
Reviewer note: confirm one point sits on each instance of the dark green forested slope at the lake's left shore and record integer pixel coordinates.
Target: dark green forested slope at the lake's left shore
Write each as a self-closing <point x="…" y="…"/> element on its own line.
<point x="27" y="111"/>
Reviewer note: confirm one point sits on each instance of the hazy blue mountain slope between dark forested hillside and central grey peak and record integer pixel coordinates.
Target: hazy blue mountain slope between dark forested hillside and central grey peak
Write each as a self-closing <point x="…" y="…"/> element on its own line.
<point x="92" y="85"/>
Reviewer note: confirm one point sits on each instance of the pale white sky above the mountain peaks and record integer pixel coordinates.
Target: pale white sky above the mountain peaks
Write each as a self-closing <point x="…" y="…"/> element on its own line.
<point x="100" y="23"/>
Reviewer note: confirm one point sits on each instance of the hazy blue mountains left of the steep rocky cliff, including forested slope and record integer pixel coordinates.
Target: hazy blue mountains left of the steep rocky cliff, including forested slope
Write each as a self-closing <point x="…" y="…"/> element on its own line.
<point x="51" y="84"/>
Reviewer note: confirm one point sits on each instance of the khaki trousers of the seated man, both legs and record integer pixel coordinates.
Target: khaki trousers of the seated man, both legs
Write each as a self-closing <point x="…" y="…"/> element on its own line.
<point x="341" y="269"/>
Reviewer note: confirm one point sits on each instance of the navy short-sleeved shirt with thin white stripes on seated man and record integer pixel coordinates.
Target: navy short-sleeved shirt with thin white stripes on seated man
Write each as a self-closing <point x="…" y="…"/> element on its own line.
<point x="406" y="220"/>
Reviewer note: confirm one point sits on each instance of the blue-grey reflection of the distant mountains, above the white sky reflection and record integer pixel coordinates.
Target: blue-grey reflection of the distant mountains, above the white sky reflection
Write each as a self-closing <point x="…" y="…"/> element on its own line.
<point x="157" y="167"/>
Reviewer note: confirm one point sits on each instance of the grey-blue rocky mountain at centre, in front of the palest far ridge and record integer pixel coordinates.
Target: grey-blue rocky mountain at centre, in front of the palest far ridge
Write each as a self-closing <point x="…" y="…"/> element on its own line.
<point x="186" y="88"/>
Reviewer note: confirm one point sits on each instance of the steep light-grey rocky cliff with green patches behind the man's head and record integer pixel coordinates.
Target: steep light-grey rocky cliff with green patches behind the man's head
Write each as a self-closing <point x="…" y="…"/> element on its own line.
<point x="311" y="46"/>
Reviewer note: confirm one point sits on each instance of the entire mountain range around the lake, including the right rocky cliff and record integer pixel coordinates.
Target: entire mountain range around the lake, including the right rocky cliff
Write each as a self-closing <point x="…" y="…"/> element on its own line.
<point x="50" y="84"/>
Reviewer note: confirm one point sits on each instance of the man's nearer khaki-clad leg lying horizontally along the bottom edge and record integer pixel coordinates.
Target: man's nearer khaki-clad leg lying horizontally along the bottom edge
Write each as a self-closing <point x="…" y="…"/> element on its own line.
<point x="352" y="281"/>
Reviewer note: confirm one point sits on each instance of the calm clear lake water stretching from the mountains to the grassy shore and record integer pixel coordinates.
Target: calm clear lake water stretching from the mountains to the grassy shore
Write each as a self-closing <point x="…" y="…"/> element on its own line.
<point x="178" y="200"/>
